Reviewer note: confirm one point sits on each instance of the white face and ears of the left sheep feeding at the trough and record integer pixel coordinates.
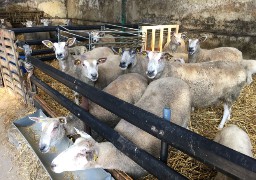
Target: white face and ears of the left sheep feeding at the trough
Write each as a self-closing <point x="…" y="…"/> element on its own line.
<point x="52" y="132"/>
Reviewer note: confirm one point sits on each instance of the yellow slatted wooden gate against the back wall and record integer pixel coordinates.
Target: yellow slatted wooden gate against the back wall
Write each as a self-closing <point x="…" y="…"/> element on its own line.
<point x="154" y="37"/>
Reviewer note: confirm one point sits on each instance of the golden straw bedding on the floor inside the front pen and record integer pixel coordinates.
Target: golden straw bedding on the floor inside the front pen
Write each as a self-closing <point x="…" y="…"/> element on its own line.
<point x="203" y="121"/>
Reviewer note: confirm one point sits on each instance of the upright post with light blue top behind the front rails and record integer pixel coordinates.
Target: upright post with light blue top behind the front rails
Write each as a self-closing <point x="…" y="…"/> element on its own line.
<point x="164" y="145"/>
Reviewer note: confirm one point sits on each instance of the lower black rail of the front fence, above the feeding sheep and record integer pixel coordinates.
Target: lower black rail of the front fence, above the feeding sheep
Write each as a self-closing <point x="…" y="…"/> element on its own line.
<point x="144" y="159"/>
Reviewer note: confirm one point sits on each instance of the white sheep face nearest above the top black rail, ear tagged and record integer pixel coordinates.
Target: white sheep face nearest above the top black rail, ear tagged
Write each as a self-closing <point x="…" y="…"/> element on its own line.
<point x="90" y="68"/>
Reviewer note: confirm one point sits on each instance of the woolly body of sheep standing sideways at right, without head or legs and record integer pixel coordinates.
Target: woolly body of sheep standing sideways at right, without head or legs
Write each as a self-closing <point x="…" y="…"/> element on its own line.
<point x="211" y="83"/>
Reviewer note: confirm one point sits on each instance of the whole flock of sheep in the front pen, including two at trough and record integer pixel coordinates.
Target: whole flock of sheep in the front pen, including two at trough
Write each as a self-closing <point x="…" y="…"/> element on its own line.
<point x="180" y="78"/>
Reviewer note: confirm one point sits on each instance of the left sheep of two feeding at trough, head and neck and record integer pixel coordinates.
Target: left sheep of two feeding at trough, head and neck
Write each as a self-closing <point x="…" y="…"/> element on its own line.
<point x="54" y="130"/>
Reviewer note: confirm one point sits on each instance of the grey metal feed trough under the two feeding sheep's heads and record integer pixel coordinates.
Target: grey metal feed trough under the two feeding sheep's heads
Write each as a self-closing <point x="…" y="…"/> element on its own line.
<point x="31" y="132"/>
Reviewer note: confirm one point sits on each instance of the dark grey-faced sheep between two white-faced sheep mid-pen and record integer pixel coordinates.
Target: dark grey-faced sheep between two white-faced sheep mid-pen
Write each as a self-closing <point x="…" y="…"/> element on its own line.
<point x="132" y="61"/>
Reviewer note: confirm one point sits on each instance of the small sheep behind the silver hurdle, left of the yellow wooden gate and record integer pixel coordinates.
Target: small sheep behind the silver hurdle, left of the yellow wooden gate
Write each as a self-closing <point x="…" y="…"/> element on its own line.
<point x="101" y="37"/>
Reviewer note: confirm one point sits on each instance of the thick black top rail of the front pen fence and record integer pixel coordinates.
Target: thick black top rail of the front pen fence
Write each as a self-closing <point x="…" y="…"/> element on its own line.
<point x="219" y="157"/>
